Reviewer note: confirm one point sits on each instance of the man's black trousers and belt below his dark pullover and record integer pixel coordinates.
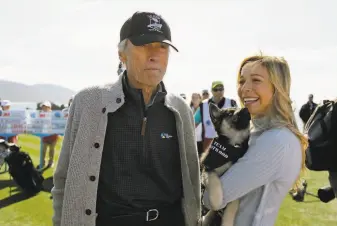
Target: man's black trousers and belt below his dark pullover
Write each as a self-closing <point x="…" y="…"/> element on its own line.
<point x="171" y="216"/>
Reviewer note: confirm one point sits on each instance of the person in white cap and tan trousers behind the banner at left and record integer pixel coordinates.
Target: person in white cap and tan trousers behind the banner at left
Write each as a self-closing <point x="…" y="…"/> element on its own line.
<point x="48" y="142"/>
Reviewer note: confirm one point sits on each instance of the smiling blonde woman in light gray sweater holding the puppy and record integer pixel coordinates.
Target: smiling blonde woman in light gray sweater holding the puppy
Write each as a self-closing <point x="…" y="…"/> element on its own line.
<point x="262" y="178"/>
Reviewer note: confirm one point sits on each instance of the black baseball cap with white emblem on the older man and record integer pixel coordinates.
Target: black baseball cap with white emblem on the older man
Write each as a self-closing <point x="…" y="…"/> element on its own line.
<point x="146" y="27"/>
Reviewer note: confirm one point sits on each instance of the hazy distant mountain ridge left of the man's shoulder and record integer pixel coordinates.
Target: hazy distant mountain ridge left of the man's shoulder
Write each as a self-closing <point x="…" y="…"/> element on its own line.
<point x="18" y="92"/>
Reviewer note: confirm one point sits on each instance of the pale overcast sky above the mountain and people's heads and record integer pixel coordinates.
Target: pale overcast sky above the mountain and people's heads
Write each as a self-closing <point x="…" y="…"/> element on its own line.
<point x="73" y="43"/>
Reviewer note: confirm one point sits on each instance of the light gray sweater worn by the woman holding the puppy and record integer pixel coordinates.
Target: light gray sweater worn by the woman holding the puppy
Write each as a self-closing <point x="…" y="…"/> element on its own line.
<point x="262" y="177"/>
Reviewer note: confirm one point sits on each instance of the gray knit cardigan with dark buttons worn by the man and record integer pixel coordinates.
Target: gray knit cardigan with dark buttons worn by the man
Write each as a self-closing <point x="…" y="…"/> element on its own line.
<point x="74" y="195"/>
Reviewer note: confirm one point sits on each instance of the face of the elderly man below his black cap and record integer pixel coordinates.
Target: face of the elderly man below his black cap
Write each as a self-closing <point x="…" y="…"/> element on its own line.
<point x="146" y="64"/>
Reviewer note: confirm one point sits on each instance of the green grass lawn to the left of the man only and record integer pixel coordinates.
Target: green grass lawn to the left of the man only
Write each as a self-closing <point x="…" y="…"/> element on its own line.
<point x="19" y="210"/>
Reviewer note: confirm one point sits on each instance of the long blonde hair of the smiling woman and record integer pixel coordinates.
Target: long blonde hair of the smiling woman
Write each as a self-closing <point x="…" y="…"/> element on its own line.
<point x="281" y="109"/>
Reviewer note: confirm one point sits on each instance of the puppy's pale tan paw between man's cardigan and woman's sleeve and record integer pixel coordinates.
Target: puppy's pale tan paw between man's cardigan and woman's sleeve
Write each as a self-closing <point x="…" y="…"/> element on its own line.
<point x="215" y="191"/>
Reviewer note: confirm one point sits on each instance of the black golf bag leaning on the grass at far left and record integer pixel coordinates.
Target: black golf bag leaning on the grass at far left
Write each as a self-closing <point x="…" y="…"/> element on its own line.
<point x="21" y="168"/>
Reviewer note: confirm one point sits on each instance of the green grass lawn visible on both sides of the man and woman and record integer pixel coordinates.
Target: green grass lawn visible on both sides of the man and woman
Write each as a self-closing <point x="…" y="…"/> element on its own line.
<point x="17" y="210"/>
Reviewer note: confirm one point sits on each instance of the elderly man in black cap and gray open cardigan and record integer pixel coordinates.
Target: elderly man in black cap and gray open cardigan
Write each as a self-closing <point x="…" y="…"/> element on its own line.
<point x="129" y="154"/>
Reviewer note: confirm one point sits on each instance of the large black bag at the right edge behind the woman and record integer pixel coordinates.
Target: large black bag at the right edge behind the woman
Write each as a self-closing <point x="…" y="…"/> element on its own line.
<point x="321" y="155"/>
